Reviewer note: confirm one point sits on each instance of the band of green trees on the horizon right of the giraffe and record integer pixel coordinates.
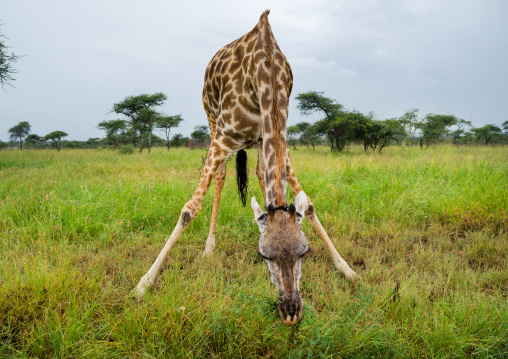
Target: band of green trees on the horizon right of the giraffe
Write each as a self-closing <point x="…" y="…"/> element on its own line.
<point x="340" y="127"/>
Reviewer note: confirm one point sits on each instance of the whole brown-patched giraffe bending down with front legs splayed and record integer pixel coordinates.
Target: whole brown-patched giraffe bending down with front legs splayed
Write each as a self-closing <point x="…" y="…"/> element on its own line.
<point x="246" y="92"/>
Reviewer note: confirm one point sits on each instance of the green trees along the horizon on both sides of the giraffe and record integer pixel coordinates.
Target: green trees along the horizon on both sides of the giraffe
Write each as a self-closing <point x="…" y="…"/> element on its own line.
<point x="337" y="128"/>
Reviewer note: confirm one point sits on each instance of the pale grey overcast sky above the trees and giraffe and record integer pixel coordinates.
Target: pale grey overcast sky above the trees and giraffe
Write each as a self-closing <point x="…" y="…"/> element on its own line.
<point x="383" y="56"/>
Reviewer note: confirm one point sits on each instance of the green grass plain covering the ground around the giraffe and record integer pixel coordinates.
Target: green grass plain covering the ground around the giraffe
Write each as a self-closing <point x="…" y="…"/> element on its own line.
<point x="78" y="228"/>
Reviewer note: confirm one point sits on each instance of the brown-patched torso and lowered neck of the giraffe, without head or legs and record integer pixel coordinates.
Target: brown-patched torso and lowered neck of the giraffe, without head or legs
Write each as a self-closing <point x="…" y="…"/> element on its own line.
<point x="246" y="95"/>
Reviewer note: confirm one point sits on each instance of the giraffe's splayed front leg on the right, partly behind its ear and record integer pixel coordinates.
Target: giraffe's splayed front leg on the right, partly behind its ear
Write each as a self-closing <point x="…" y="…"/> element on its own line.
<point x="310" y="213"/>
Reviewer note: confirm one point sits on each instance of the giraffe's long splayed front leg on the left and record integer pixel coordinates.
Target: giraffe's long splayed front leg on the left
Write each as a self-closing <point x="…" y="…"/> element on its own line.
<point x="217" y="156"/>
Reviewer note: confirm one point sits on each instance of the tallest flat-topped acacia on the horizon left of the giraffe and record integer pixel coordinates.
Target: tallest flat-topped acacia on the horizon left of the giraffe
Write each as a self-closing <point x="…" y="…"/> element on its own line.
<point x="139" y="110"/>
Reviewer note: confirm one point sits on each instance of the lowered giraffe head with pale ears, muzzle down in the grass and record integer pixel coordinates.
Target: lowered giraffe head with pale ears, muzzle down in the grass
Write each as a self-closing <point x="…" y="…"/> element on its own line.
<point x="282" y="245"/>
